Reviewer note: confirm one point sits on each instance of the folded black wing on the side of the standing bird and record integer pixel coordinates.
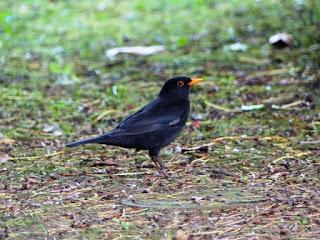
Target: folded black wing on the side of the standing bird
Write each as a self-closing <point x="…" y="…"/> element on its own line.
<point x="148" y="119"/>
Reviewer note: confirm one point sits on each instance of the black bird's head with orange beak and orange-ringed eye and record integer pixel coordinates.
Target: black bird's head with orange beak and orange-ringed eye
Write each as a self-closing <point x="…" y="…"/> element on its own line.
<point x="178" y="87"/>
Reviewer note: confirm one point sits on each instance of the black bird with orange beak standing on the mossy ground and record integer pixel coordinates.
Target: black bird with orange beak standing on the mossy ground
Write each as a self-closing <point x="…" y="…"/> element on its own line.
<point x="155" y="125"/>
